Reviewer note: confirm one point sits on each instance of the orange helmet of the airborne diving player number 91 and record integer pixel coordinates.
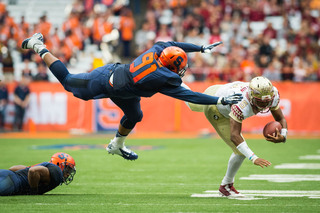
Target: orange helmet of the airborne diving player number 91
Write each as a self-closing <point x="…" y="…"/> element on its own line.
<point x="175" y="59"/>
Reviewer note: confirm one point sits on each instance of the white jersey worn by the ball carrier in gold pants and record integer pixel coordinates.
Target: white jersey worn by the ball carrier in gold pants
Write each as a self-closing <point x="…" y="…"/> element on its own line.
<point x="243" y="109"/>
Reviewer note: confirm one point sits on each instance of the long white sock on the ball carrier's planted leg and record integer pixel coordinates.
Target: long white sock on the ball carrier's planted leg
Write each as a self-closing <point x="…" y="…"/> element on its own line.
<point x="234" y="164"/>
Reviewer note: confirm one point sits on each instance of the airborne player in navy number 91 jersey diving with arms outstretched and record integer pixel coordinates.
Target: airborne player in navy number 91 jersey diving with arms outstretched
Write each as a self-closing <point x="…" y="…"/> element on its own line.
<point x="159" y="69"/>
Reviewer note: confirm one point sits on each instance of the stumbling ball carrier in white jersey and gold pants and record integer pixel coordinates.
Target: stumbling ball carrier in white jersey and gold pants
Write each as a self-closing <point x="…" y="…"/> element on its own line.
<point x="258" y="96"/>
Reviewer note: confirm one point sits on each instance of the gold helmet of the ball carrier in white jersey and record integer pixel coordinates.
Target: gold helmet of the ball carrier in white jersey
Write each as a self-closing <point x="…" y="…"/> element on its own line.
<point x="261" y="93"/>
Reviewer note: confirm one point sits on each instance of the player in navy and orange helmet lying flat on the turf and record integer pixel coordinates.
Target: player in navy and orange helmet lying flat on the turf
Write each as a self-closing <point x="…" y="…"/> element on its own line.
<point x="37" y="179"/>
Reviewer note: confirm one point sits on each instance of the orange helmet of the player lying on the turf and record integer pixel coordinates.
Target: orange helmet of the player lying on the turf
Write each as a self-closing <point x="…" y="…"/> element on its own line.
<point x="66" y="164"/>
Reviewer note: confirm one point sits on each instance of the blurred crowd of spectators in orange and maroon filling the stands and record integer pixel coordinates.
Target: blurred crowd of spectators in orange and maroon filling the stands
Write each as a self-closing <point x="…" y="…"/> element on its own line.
<point x="252" y="44"/>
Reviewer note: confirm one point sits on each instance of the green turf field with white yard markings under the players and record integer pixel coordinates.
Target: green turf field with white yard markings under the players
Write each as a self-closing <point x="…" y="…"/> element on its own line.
<point x="164" y="178"/>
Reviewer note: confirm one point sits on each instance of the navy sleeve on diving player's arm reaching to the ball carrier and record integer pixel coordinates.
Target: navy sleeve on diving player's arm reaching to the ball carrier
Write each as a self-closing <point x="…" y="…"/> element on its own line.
<point x="187" y="95"/>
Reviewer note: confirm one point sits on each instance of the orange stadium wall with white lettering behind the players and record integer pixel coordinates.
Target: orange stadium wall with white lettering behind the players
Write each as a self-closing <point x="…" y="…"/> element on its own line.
<point x="51" y="108"/>
